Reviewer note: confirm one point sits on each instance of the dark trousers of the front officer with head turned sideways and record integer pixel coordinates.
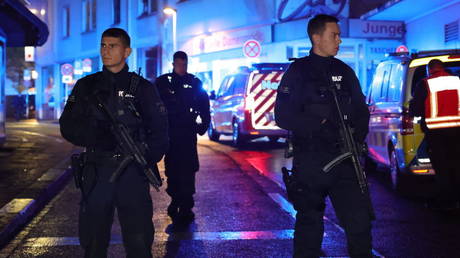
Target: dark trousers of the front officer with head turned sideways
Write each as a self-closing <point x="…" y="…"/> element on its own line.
<point x="351" y="206"/>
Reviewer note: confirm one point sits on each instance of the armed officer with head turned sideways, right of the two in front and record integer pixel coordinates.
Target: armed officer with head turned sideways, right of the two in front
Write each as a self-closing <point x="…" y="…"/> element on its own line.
<point x="320" y="101"/>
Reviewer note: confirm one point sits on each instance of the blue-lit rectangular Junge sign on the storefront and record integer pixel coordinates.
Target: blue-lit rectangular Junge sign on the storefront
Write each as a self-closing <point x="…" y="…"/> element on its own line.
<point x="376" y="29"/>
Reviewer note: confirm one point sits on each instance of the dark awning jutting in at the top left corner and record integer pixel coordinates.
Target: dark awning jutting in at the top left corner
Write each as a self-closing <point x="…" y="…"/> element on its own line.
<point x="22" y="28"/>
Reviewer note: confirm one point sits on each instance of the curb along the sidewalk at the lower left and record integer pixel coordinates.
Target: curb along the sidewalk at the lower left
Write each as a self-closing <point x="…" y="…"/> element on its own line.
<point x="47" y="186"/>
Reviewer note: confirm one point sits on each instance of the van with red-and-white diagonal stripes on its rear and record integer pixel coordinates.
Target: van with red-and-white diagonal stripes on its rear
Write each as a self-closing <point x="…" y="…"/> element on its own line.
<point x="244" y="104"/>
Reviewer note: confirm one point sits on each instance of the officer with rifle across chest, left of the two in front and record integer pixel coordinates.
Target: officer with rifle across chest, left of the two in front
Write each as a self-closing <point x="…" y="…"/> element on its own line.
<point x="84" y="124"/>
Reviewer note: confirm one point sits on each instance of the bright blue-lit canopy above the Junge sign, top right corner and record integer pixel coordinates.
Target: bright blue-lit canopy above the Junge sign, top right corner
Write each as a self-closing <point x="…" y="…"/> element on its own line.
<point x="406" y="10"/>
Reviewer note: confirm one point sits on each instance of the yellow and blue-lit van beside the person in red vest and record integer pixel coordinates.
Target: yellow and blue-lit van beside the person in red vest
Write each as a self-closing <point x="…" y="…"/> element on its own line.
<point x="395" y="139"/>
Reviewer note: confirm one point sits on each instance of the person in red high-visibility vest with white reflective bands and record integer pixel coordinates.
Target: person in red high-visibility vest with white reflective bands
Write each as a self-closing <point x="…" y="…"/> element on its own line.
<point x="437" y="101"/>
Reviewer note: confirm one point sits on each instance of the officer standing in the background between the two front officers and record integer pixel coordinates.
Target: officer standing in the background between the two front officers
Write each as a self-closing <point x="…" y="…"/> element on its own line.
<point x="185" y="101"/>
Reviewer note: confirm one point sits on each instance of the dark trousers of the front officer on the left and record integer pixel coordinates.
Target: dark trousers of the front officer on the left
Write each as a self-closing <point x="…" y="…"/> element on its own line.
<point x="129" y="195"/>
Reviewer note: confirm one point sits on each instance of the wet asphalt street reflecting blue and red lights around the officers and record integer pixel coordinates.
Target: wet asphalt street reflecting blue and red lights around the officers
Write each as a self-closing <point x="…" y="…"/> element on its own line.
<point x="241" y="211"/>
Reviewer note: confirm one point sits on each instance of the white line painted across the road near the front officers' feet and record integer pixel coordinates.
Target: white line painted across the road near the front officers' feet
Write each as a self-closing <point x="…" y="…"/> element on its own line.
<point x="176" y="236"/>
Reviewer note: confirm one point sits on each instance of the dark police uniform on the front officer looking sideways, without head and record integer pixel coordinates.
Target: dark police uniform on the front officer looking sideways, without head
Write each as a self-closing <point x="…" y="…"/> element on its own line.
<point x="306" y="107"/>
